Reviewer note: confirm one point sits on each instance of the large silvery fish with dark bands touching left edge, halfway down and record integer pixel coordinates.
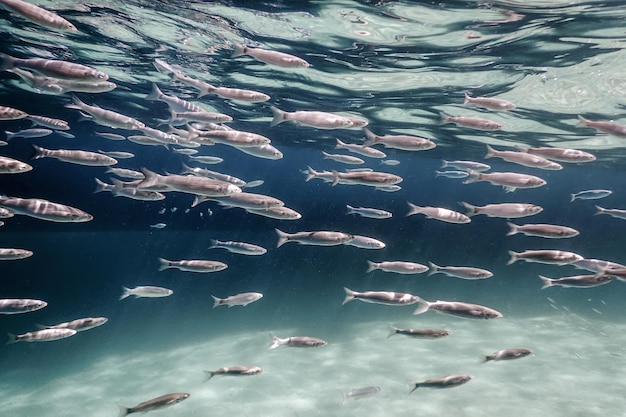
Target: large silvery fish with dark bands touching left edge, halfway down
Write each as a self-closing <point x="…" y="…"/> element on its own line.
<point x="44" y="210"/>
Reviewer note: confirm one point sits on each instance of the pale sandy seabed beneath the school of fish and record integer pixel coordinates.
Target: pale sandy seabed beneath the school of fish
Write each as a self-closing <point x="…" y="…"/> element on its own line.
<point x="575" y="371"/>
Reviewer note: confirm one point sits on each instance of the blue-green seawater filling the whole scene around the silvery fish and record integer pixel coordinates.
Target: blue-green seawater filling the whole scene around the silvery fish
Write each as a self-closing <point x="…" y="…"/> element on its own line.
<point x="396" y="64"/>
